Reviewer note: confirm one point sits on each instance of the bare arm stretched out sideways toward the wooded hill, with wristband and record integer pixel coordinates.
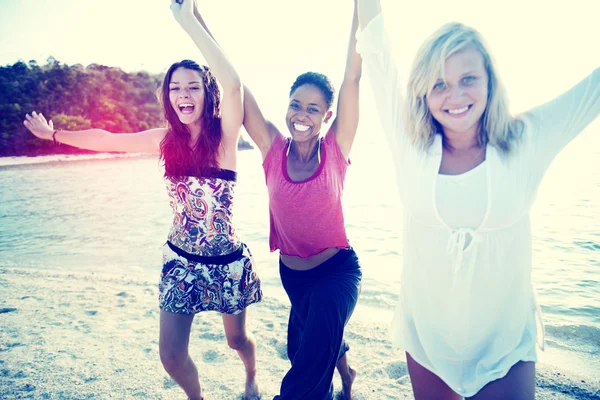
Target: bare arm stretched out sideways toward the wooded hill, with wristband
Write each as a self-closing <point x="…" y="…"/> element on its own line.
<point x="96" y="139"/>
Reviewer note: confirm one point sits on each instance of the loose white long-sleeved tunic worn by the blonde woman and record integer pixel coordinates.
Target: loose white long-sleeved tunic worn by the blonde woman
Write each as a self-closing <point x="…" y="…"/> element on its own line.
<point x="468" y="312"/>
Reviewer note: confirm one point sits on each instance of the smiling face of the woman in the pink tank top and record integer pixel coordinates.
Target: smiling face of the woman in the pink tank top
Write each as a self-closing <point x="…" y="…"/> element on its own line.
<point x="307" y="111"/>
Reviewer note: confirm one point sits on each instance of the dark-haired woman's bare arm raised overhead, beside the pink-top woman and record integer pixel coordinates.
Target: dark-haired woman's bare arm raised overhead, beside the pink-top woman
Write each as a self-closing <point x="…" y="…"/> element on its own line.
<point x="232" y="111"/>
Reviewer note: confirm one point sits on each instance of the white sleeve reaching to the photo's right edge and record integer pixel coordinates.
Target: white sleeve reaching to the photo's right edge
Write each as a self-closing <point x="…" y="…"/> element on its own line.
<point x="559" y="121"/>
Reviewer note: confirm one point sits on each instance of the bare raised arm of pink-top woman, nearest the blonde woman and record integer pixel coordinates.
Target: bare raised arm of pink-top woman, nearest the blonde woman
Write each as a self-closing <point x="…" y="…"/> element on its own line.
<point x="346" y="121"/>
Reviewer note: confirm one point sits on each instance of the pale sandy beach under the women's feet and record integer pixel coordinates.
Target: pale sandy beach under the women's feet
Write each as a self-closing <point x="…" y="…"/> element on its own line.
<point x="90" y="335"/>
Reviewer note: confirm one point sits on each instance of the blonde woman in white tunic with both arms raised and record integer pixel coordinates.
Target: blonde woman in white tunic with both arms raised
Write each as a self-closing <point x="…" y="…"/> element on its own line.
<point x="468" y="173"/>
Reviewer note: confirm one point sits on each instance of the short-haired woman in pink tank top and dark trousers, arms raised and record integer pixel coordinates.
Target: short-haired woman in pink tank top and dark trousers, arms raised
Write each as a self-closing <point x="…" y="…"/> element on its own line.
<point x="305" y="174"/>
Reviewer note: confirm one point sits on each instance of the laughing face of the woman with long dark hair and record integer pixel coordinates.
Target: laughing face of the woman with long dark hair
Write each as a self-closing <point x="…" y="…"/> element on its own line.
<point x="186" y="95"/>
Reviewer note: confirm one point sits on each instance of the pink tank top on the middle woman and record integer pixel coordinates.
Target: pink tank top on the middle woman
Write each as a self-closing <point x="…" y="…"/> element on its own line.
<point x="306" y="216"/>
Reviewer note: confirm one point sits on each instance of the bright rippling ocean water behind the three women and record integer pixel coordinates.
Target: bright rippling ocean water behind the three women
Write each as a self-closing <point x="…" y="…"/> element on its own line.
<point x="111" y="214"/>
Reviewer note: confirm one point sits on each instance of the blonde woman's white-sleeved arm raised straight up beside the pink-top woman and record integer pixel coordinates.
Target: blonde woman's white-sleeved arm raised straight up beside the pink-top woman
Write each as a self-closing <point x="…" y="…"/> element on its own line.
<point x="374" y="47"/>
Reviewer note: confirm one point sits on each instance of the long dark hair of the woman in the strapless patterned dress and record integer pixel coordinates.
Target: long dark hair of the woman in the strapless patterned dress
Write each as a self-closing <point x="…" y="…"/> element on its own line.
<point x="179" y="158"/>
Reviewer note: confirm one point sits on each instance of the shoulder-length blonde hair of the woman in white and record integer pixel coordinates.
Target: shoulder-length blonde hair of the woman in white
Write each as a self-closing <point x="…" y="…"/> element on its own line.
<point x="498" y="127"/>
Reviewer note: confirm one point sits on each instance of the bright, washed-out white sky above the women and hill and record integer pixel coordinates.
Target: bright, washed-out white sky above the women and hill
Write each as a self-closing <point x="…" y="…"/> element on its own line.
<point x="542" y="47"/>
